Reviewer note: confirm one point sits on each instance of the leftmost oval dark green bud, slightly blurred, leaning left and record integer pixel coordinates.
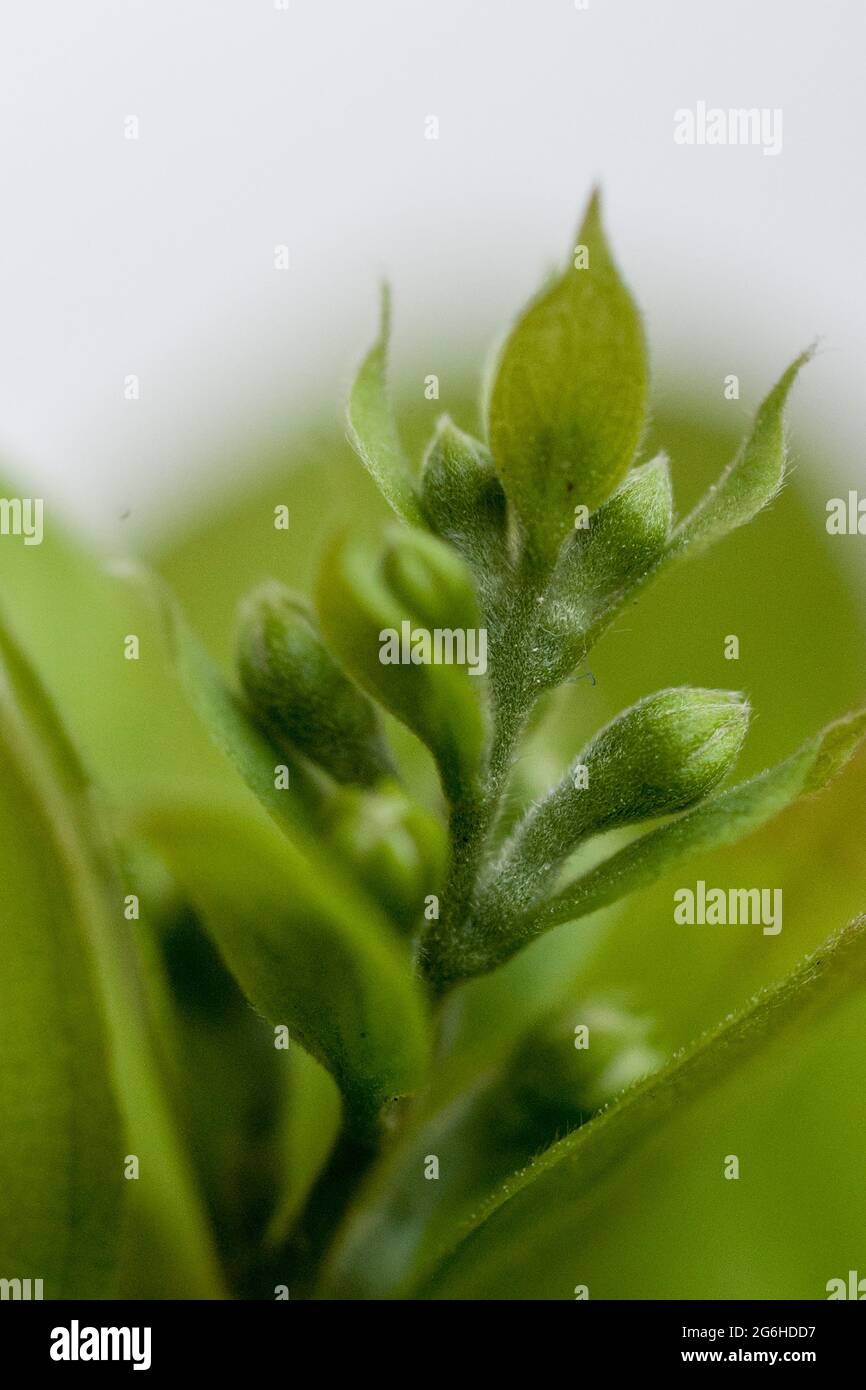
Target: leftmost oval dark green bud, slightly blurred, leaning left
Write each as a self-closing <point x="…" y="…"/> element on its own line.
<point x="300" y="694"/>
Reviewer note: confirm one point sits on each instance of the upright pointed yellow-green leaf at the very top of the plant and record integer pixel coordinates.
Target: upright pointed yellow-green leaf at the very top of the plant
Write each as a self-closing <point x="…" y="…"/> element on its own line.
<point x="569" y="397"/>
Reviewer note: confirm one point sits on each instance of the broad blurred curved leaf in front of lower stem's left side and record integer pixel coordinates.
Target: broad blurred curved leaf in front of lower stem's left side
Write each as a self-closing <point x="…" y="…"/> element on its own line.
<point x="307" y="951"/>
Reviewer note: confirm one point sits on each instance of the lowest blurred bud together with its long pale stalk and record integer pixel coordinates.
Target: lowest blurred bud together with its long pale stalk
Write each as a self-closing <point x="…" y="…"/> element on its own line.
<point x="540" y="1088"/>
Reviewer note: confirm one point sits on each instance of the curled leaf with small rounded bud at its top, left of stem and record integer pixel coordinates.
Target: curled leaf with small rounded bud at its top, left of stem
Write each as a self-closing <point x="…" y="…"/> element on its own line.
<point x="380" y="616"/>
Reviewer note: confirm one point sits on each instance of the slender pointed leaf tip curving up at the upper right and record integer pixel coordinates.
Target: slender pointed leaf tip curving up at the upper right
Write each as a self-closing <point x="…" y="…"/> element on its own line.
<point x="751" y="482"/>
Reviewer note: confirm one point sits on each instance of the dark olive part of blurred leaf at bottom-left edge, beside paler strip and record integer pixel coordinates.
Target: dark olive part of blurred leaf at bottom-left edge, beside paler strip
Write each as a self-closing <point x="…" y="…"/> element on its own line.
<point x="62" y="1145"/>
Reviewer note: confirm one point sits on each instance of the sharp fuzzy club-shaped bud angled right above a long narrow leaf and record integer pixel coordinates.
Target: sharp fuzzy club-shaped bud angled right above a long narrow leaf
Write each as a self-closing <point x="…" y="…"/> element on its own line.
<point x="660" y="757"/>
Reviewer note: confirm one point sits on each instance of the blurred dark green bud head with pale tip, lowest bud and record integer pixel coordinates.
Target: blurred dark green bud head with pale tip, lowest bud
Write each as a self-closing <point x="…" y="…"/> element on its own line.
<point x="572" y="1068"/>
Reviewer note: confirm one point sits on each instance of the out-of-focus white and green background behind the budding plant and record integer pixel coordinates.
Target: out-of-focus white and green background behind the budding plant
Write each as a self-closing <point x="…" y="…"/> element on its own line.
<point x="304" y="129"/>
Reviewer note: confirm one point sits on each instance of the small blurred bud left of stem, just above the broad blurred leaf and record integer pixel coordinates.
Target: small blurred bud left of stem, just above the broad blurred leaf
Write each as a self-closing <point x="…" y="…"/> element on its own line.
<point x="397" y="849"/>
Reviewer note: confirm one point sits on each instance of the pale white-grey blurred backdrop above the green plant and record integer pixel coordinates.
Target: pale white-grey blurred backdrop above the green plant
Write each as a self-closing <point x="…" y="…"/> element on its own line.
<point x="307" y="127"/>
